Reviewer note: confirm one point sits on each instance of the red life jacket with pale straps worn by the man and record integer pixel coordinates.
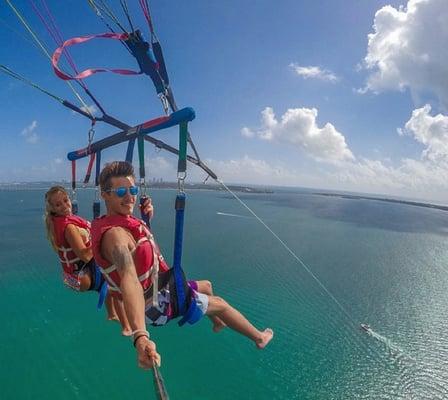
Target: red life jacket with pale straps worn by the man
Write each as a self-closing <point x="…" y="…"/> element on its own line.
<point x="147" y="258"/>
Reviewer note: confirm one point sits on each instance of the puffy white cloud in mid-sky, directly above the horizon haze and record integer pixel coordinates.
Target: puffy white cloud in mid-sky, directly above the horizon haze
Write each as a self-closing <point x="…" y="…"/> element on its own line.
<point x="298" y="127"/>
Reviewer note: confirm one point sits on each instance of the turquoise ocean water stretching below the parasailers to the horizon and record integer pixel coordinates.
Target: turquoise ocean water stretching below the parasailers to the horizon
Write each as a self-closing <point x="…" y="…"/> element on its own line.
<point x="384" y="264"/>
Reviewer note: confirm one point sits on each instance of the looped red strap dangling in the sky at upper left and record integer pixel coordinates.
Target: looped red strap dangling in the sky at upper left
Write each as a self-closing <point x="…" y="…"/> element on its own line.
<point x="88" y="72"/>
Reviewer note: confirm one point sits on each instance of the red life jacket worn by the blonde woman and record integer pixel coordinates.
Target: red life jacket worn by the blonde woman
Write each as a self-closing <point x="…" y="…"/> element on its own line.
<point x="71" y="263"/>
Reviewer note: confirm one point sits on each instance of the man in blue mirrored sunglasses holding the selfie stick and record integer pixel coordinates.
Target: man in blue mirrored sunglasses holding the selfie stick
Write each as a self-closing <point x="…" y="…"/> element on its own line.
<point x="128" y="256"/>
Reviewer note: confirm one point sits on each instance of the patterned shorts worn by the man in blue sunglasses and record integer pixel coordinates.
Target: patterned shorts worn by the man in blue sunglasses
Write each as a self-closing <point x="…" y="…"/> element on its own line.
<point x="162" y="313"/>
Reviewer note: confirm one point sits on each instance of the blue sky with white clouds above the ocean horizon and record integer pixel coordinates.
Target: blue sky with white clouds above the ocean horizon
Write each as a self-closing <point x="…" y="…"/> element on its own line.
<point x="343" y="95"/>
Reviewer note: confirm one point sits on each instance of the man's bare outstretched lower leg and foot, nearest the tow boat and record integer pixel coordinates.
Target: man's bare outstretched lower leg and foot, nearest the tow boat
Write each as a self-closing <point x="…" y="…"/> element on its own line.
<point x="236" y="321"/>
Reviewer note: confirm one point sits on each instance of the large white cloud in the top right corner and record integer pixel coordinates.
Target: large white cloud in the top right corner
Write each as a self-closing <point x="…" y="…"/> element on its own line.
<point x="408" y="49"/>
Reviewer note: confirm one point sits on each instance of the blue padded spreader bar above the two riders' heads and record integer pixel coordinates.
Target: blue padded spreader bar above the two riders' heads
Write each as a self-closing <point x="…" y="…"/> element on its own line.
<point x="184" y="115"/>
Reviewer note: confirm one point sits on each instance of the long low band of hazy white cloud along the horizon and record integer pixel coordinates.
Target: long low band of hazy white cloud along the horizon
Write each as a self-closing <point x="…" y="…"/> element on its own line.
<point x="410" y="178"/>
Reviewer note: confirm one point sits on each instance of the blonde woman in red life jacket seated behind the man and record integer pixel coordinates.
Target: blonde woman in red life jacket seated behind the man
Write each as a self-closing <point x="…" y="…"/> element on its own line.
<point x="69" y="236"/>
